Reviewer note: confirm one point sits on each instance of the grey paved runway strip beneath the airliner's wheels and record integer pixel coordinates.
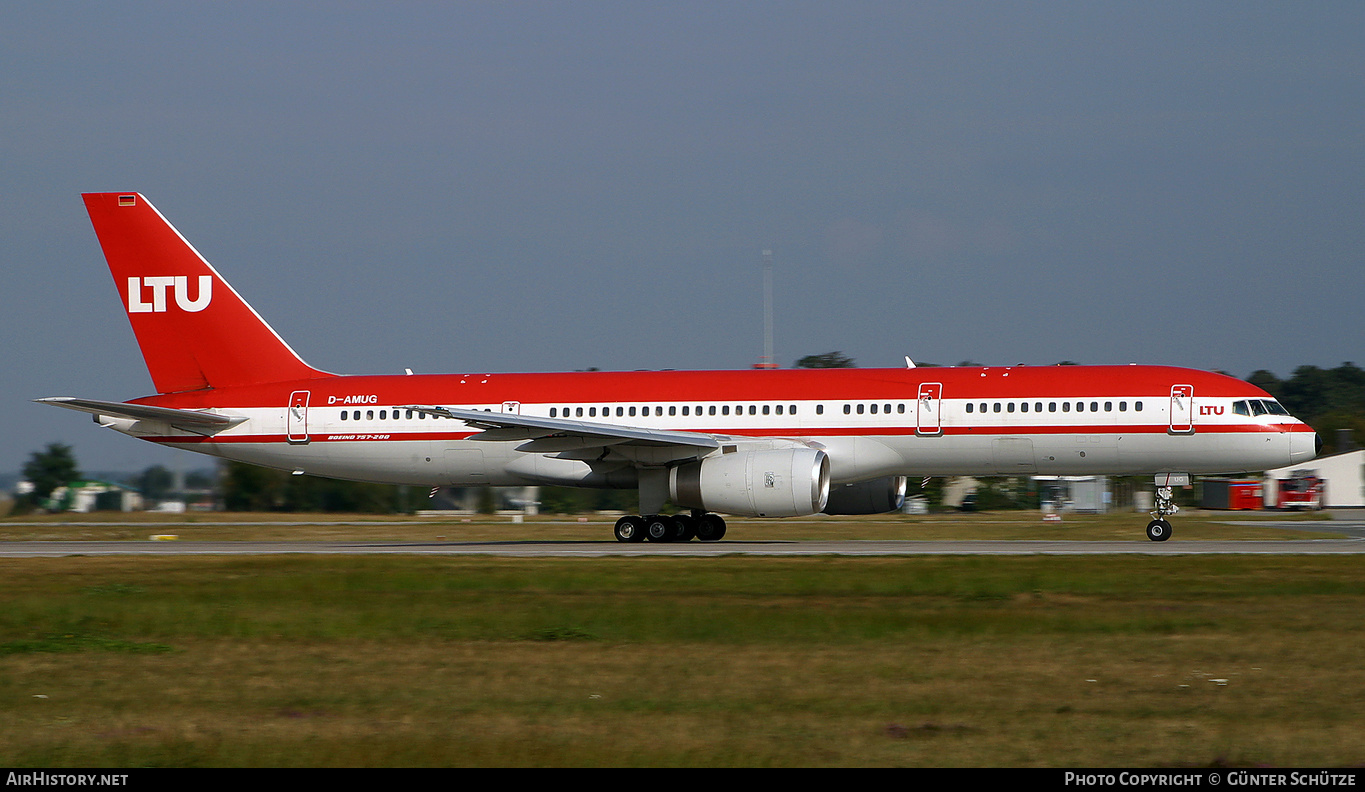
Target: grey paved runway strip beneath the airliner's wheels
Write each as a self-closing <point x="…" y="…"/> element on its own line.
<point x="571" y="550"/>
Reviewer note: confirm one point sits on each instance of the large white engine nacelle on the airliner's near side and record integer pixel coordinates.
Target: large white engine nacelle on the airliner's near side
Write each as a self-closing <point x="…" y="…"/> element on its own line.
<point x="788" y="483"/>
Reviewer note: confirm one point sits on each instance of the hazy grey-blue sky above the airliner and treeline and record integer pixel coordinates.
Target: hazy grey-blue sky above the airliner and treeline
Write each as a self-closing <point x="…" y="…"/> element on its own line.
<point x="547" y="186"/>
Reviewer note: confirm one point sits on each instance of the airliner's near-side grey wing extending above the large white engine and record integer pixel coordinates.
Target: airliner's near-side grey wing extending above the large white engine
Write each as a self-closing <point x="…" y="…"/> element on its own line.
<point x="513" y="427"/>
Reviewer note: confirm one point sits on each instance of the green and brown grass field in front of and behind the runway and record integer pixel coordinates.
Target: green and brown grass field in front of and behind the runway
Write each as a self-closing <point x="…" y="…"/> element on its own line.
<point x="661" y="662"/>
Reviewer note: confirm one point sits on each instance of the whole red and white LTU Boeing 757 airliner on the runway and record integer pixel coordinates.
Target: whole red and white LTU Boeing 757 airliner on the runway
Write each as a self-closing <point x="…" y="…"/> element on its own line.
<point x="757" y="443"/>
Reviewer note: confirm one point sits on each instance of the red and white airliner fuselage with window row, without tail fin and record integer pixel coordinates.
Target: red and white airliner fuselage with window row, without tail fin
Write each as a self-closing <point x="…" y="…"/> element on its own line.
<point x="873" y="423"/>
